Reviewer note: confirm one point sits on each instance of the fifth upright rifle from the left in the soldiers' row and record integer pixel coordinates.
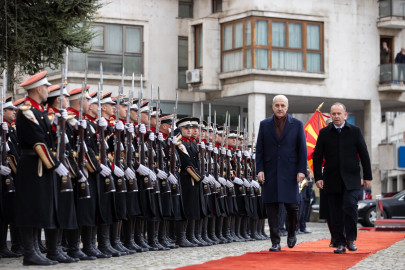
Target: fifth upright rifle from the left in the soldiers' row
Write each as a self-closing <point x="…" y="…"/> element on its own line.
<point x="121" y="187"/>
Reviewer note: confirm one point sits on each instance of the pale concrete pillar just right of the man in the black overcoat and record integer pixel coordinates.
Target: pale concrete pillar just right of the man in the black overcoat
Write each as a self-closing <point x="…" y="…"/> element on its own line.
<point x="372" y="123"/>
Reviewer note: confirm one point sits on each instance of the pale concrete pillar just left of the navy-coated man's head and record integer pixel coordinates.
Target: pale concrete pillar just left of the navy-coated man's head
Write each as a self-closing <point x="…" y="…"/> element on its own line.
<point x="256" y="110"/>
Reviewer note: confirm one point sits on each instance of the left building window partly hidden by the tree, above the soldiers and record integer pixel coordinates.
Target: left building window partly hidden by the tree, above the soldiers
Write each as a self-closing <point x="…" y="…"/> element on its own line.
<point x="115" y="46"/>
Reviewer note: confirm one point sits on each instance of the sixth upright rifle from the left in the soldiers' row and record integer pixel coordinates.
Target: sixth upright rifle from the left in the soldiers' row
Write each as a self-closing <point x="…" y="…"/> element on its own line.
<point x="132" y="183"/>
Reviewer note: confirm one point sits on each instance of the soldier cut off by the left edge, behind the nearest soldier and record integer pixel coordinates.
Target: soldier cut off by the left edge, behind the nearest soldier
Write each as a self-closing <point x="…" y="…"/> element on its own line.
<point x="7" y="215"/>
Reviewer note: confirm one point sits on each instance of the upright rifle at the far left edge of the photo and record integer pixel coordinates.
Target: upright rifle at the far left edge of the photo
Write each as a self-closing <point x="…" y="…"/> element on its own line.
<point x="9" y="181"/>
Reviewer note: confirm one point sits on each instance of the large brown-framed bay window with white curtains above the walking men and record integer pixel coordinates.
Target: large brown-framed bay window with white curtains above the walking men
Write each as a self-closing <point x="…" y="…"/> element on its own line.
<point x="277" y="44"/>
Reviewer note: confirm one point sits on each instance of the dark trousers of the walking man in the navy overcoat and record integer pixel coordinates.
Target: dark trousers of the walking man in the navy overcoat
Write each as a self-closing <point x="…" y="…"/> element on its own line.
<point x="272" y="213"/>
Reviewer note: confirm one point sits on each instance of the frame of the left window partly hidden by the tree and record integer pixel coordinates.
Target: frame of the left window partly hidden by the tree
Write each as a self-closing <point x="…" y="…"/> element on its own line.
<point x="124" y="49"/>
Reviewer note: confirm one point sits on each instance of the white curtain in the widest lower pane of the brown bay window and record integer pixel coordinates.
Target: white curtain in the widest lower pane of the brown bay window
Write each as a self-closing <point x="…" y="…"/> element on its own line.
<point x="286" y="60"/>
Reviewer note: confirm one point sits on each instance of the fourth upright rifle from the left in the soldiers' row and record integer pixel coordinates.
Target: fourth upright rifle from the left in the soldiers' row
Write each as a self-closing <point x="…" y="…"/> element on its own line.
<point x="109" y="185"/>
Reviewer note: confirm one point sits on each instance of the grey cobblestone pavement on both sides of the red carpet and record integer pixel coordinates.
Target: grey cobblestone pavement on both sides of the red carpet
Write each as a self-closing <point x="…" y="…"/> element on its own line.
<point x="391" y="258"/>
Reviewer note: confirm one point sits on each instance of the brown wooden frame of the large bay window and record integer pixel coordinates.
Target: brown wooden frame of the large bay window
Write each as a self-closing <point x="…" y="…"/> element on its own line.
<point x="270" y="46"/>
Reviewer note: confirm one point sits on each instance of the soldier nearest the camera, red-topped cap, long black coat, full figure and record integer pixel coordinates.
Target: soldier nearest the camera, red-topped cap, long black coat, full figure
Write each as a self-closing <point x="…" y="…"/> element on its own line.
<point x="35" y="183"/>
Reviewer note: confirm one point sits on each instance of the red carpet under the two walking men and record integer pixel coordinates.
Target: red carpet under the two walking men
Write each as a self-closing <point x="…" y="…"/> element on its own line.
<point x="309" y="255"/>
